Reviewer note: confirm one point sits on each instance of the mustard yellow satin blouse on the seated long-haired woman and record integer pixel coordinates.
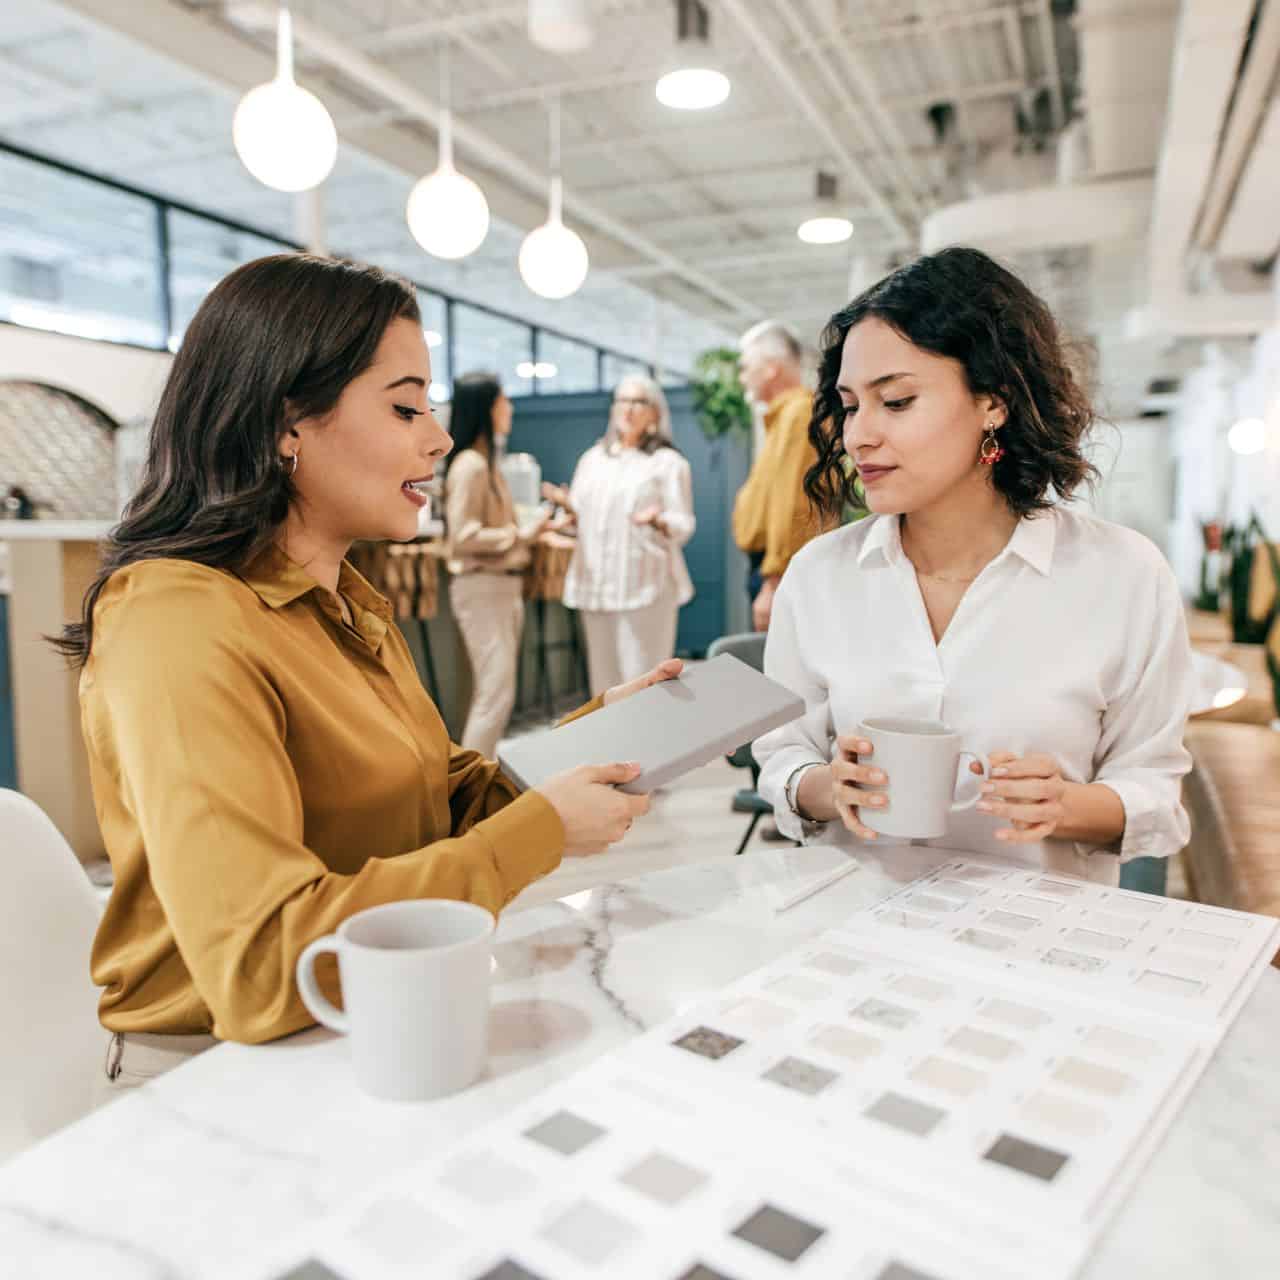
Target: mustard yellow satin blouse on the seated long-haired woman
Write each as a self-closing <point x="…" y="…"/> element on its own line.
<point x="262" y="771"/>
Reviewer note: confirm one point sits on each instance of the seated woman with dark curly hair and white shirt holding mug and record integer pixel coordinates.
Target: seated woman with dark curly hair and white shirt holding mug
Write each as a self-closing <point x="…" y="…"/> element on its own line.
<point x="1052" y="641"/>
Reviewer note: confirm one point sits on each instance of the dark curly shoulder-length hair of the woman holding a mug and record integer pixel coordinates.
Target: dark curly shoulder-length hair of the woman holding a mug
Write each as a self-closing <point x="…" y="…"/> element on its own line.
<point x="964" y="305"/>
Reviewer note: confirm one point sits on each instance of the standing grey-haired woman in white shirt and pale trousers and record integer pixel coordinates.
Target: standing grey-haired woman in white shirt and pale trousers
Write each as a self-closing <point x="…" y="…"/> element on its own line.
<point x="633" y="499"/>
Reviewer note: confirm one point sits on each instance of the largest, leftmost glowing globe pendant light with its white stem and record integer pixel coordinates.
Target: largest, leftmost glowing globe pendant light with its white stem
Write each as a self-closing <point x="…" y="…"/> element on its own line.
<point x="282" y="132"/>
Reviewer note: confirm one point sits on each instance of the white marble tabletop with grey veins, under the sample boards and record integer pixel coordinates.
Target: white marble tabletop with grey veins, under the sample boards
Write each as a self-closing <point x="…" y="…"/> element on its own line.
<point x="202" y="1172"/>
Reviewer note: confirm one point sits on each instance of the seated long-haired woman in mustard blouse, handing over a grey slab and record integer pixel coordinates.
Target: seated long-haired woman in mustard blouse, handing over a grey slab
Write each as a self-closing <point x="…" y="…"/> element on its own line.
<point x="266" y="761"/>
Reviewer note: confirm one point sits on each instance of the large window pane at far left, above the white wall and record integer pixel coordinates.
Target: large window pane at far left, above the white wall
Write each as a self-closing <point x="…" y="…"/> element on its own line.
<point x="77" y="257"/>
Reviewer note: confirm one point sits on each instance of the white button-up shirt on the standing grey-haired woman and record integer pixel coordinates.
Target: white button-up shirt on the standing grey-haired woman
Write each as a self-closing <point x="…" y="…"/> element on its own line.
<point x="620" y="565"/>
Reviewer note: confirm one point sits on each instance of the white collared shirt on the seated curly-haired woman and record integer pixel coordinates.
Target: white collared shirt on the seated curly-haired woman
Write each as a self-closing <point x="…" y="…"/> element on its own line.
<point x="1072" y="642"/>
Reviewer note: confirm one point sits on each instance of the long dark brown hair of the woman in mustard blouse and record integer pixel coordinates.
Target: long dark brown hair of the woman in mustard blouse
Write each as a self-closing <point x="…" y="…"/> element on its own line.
<point x="276" y="342"/>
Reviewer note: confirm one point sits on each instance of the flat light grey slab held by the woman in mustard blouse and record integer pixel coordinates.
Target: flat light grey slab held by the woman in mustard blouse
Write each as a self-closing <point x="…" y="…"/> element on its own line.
<point x="668" y="729"/>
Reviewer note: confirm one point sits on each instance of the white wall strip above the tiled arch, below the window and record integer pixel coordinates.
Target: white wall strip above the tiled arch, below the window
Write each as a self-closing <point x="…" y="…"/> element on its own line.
<point x="124" y="382"/>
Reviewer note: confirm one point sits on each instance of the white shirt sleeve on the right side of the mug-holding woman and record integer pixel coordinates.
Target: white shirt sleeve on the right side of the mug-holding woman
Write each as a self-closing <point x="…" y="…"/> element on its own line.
<point x="1142" y="756"/>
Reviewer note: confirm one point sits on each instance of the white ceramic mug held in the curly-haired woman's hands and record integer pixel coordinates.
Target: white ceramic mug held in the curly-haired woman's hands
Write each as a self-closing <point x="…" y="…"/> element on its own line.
<point x="921" y="758"/>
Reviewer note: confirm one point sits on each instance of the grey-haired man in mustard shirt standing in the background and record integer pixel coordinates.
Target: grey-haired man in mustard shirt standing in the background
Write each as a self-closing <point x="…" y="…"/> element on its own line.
<point x="772" y="519"/>
